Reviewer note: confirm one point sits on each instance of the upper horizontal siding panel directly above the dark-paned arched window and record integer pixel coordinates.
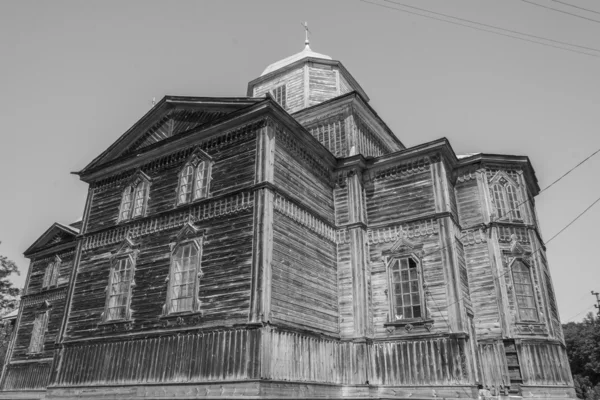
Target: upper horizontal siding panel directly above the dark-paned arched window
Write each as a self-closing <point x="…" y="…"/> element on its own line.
<point x="401" y="194"/>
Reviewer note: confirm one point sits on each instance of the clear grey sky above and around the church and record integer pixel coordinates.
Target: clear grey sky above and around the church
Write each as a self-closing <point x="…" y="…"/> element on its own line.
<point x="75" y="75"/>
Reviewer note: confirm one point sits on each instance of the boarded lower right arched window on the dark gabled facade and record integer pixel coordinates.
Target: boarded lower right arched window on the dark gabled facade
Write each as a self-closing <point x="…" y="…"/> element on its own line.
<point x="185" y="266"/>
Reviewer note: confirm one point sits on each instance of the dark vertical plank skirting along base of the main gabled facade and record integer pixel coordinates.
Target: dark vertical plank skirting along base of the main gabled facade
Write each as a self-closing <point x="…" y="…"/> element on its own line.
<point x="191" y="357"/>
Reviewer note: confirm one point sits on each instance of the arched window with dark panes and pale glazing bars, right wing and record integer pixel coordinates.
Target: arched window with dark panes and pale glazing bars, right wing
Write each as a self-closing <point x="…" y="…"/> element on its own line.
<point x="406" y="289"/>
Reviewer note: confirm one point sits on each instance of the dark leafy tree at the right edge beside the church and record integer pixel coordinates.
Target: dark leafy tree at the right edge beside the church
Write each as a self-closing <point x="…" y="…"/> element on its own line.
<point x="583" y="349"/>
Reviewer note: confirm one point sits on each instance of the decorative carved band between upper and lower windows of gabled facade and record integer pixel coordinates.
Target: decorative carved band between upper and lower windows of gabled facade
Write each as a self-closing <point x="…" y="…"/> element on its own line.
<point x="204" y="211"/>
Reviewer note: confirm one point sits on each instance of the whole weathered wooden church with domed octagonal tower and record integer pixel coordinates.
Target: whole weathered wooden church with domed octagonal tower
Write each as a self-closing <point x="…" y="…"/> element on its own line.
<point x="286" y="244"/>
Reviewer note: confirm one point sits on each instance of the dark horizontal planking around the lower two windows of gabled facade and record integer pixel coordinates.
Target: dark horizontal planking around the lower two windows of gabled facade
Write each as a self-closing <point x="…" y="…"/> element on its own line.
<point x="224" y="289"/>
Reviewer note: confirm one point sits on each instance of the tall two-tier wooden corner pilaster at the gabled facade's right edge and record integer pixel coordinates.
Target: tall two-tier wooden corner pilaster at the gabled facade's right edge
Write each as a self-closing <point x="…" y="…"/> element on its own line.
<point x="262" y="242"/>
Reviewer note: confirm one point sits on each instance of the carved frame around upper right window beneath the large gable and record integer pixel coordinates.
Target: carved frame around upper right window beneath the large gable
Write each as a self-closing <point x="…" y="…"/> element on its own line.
<point x="198" y="161"/>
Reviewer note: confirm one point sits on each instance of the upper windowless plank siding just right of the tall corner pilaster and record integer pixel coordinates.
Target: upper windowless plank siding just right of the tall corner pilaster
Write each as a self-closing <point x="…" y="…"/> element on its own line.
<point x="299" y="181"/>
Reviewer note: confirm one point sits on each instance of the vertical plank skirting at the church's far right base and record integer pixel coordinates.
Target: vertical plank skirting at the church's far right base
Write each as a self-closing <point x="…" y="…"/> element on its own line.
<point x="544" y="363"/>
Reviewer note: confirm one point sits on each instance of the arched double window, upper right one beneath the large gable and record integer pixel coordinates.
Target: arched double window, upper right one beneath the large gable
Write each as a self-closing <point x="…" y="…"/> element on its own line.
<point x="194" y="179"/>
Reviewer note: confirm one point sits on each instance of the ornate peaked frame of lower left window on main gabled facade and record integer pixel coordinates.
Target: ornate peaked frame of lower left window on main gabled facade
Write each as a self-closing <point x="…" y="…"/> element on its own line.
<point x="128" y="252"/>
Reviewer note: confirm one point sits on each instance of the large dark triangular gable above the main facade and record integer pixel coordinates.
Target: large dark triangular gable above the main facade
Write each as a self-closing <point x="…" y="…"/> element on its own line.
<point x="171" y="116"/>
